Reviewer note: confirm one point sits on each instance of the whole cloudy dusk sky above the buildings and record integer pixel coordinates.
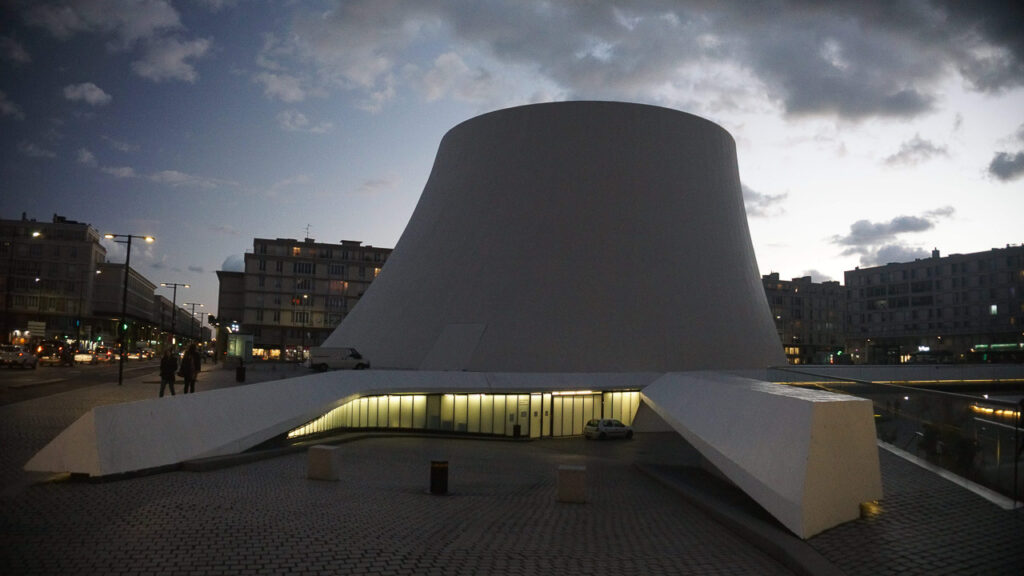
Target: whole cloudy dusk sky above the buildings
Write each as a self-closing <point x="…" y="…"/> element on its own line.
<point x="867" y="133"/>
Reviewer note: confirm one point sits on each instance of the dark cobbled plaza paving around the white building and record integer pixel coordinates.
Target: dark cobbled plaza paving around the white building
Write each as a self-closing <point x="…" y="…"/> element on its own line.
<point x="651" y="510"/>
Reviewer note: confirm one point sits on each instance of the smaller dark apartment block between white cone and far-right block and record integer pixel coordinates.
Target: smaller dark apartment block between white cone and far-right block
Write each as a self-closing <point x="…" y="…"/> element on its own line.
<point x="809" y="318"/>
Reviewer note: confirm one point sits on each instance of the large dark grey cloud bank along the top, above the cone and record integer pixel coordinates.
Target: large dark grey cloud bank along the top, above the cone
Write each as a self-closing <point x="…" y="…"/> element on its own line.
<point x="851" y="60"/>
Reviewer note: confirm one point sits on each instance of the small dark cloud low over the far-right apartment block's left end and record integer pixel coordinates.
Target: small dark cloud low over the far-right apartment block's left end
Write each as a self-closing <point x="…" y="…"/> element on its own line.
<point x="879" y="243"/>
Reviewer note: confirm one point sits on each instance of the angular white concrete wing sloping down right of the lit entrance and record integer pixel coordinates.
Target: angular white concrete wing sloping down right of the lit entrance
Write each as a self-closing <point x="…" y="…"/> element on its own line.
<point x="808" y="458"/>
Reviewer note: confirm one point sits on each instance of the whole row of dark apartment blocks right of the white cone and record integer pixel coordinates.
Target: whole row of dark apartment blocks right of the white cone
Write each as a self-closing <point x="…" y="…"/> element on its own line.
<point x="961" y="308"/>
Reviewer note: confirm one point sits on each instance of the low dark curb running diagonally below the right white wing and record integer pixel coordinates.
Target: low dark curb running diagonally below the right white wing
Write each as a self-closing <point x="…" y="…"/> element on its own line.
<point x="789" y="551"/>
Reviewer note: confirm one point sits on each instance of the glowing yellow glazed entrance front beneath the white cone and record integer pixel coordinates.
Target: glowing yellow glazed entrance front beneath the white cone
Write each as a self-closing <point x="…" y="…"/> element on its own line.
<point x="533" y="416"/>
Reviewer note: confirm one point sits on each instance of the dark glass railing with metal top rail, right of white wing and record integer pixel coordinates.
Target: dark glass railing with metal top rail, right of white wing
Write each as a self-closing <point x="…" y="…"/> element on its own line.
<point x="978" y="438"/>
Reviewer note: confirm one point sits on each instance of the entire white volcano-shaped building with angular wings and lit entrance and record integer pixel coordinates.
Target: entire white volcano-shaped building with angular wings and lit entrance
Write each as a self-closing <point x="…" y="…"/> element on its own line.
<point x="566" y="261"/>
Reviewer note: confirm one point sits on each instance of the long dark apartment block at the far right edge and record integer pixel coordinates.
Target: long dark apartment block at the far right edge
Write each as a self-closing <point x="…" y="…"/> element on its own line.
<point x="962" y="308"/>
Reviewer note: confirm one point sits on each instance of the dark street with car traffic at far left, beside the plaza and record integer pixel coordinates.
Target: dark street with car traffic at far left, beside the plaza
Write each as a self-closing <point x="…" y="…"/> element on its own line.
<point x="18" y="385"/>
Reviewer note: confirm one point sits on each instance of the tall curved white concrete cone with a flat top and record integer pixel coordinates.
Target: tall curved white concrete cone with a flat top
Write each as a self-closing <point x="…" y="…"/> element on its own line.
<point x="573" y="237"/>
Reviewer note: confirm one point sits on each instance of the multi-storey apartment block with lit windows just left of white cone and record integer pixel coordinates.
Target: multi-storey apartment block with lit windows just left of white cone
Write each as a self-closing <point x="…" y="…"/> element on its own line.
<point x="294" y="294"/>
